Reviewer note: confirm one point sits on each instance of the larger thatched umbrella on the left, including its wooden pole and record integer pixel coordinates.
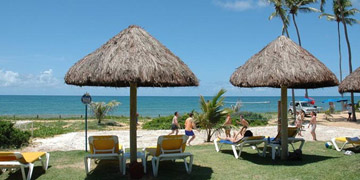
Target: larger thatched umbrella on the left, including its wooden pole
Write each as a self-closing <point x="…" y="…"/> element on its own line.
<point x="131" y="58"/>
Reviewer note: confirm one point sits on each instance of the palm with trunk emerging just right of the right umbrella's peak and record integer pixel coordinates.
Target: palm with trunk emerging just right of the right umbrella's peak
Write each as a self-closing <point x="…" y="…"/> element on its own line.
<point x="299" y="5"/>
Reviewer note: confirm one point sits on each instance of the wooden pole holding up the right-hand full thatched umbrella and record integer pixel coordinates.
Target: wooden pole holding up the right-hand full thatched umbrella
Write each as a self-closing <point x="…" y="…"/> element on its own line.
<point x="284" y="124"/>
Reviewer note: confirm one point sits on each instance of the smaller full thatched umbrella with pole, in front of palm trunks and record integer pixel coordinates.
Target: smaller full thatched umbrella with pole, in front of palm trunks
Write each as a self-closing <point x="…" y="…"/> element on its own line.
<point x="283" y="64"/>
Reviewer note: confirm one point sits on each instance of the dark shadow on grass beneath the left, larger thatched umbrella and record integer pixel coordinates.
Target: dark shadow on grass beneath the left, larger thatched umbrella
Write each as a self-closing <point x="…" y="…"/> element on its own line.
<point x="167" y="170"/>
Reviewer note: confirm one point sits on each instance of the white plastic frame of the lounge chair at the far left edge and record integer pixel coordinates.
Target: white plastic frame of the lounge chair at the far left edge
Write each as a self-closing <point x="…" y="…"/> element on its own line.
<point x="18" y="164"/>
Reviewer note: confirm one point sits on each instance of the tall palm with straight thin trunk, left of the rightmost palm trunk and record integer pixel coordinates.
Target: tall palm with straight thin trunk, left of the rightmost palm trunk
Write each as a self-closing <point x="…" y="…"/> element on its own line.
<point x="337" y="17"/>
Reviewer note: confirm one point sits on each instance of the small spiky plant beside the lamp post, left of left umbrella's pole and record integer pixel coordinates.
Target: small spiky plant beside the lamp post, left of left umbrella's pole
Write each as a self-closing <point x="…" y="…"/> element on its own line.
<point x="100" y="109"/>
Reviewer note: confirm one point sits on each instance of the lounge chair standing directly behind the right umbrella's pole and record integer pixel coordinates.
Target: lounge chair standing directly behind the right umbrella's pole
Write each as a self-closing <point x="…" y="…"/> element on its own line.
<point x="275" y="142"/>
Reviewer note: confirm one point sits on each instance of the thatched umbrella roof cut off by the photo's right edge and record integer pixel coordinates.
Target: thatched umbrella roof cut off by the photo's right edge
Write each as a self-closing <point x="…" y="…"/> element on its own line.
<point x="351" y="83"/>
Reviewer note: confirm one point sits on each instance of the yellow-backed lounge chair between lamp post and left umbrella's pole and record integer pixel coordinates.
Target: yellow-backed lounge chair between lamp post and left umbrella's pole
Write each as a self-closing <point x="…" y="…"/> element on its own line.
<point x="104" y="147"/>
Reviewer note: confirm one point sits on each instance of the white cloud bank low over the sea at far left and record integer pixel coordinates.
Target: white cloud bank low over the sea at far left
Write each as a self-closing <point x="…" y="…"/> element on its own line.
<point x="14" y="79"/>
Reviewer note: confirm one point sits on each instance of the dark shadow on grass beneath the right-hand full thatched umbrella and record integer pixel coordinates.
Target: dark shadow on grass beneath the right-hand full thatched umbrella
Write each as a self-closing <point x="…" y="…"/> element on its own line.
<point x="255" y="158"/>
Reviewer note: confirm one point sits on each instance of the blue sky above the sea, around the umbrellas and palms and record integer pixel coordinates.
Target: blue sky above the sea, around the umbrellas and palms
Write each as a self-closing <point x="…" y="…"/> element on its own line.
<point x="40" y="40"/>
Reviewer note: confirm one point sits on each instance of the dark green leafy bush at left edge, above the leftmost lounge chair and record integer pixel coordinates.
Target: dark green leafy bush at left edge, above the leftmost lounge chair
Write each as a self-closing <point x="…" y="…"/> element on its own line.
<point x="10" y="137"/>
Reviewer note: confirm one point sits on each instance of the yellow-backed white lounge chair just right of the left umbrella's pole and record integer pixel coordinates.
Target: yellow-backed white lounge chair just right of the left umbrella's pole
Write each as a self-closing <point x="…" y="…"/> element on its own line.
<point x="169" y="148"/>
